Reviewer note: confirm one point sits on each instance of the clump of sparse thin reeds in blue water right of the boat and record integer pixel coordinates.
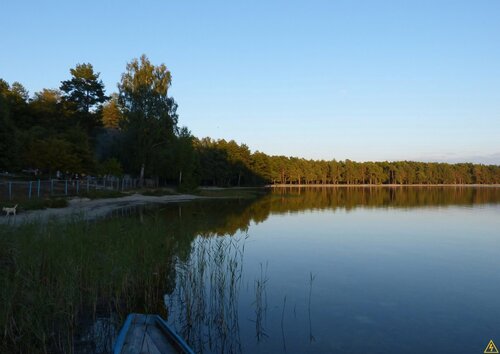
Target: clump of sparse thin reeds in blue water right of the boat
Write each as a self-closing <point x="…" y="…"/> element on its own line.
<point x="204" y="305"/>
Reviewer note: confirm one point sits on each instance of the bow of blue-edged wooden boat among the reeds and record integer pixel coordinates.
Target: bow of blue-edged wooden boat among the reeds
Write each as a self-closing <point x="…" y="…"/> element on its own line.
<point x="149" y="334"/>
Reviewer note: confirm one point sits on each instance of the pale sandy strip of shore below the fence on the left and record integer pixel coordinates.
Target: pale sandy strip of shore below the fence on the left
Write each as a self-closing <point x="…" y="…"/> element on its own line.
<point x="92" y="208"/>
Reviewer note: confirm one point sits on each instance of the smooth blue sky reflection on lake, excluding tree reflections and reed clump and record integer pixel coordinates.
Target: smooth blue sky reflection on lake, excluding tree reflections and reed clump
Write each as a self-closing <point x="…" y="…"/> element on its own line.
<point x="386" y="280"/>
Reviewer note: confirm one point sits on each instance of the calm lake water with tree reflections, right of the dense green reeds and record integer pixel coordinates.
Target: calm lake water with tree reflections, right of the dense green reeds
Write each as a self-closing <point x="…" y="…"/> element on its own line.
<point x="339" y="270"/>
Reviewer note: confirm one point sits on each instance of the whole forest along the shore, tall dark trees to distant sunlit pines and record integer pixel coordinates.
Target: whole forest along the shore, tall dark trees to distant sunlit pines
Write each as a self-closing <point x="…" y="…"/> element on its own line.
<point x="77" y="128"/>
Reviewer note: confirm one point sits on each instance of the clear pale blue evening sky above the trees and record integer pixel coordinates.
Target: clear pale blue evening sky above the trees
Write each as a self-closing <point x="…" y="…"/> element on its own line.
<point x="364" y="80"/>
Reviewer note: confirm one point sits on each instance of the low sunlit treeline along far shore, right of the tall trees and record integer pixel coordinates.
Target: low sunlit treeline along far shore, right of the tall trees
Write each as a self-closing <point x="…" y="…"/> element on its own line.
<point x="228" y="164"/>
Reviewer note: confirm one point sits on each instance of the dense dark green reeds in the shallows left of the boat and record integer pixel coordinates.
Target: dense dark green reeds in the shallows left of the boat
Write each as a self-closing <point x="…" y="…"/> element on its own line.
<point x="58" y="277"/>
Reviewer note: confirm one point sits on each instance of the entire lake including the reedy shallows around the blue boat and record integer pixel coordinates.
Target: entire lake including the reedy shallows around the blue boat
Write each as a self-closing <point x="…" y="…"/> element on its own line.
<point x="296" y="270"/>
